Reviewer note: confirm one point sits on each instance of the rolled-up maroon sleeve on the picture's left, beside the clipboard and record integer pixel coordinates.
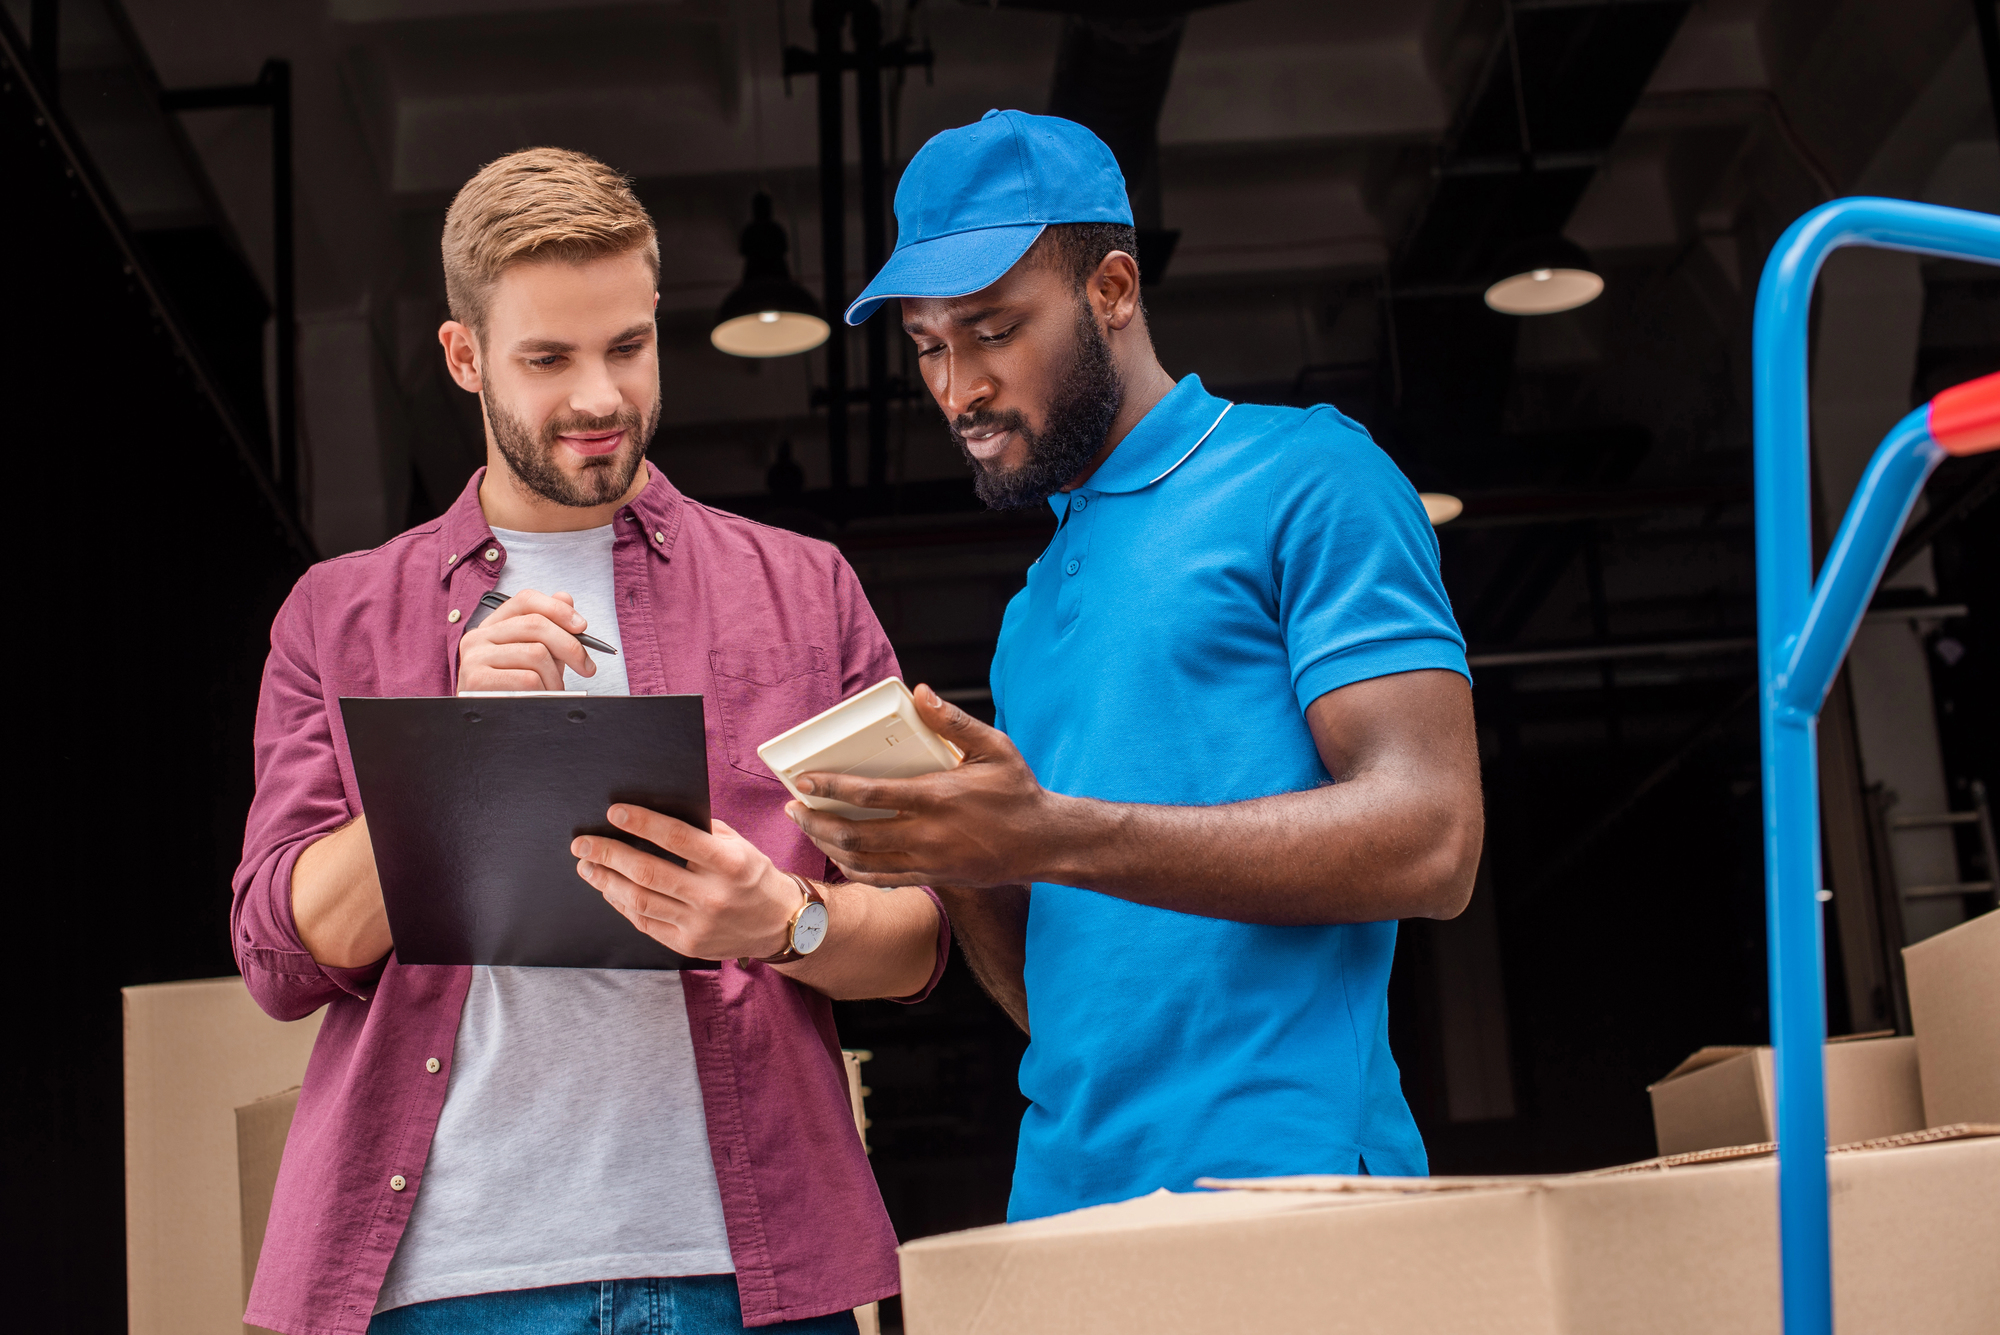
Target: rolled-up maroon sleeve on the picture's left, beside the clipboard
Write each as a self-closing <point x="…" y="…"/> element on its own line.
<point x="299" y="800"/>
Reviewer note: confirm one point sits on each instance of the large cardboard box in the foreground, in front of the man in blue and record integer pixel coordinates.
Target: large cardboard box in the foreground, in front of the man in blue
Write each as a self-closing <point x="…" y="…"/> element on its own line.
<point x="1689" y="1248"/>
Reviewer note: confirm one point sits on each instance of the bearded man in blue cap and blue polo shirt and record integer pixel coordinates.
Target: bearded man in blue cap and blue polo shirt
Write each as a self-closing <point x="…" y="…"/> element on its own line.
<point x="1233" y="718"/>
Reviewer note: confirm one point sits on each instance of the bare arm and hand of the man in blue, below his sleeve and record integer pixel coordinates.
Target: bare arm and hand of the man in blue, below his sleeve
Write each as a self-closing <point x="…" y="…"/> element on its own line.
<point x="1395" y="836"/>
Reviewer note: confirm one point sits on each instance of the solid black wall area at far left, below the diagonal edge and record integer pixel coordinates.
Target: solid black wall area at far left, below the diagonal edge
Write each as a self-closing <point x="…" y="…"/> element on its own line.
<point x="149" y="555"/>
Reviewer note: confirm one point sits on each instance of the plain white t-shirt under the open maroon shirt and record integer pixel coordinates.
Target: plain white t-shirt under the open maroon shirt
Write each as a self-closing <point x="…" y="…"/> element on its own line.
<point x="573" y="1142"/>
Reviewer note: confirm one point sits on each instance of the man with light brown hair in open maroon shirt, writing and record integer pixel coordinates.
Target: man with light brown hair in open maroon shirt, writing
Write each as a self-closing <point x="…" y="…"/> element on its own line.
<point x="573" y="1150"/>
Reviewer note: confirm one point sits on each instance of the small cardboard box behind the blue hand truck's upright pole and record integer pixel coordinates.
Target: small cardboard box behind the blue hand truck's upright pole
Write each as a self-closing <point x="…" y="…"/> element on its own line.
<point x="1725" y="1096"/>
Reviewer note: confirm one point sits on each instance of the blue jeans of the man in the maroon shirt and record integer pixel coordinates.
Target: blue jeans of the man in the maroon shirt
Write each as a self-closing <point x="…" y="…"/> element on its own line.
<point x="689" y="1306"/>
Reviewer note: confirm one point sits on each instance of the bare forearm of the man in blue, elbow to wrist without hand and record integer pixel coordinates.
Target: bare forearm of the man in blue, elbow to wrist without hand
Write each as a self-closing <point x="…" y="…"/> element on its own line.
<point x="1365" y="850"/>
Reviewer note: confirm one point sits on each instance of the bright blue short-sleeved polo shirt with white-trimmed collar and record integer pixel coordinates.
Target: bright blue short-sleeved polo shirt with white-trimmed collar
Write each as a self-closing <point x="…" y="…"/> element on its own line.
<point x="1225" y="569"/>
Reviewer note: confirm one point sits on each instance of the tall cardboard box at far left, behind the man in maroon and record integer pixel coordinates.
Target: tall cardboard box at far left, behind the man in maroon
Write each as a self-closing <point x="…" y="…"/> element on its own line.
<point x="195" y="1054"/>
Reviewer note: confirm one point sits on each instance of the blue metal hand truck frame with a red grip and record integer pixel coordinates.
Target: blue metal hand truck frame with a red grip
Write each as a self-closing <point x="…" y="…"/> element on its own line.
<point x="1805" y="631"/>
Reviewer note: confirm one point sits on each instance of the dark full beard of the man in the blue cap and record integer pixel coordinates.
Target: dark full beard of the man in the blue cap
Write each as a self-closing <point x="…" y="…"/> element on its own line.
<point x="1079" y="419"/>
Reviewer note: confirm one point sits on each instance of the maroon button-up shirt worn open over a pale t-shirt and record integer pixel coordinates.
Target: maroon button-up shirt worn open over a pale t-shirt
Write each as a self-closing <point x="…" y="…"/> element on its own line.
<point x="771" y="629"/>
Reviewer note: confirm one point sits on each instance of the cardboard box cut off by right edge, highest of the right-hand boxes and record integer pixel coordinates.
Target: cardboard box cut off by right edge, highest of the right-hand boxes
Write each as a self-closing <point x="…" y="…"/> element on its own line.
<point x="1955" y="1008"/>
